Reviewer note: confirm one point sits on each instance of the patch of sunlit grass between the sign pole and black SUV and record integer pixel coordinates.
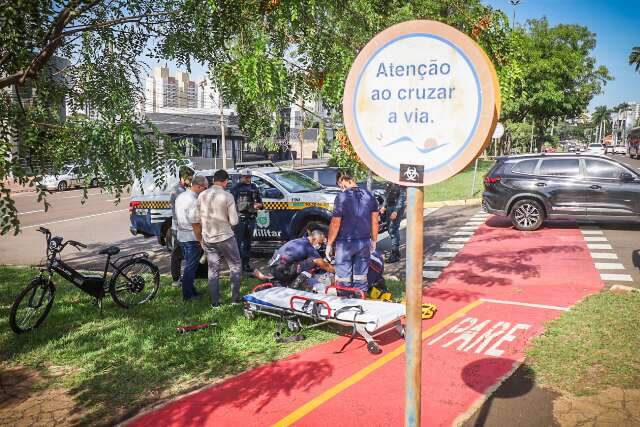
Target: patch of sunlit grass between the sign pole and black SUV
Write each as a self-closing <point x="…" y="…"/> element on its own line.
<point x="459" y="186"/>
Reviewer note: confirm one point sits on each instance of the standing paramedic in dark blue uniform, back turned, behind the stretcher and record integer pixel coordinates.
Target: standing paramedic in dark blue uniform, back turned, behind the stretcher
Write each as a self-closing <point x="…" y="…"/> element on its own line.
<point x="353" y="232"/>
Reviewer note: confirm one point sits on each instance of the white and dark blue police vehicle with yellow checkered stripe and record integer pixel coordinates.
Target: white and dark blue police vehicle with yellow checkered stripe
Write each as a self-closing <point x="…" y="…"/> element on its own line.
<point x="291" y="201"/>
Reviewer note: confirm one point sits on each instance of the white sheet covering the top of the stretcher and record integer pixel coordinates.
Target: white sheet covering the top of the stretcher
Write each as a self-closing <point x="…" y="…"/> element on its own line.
<point x="376" y="313"/>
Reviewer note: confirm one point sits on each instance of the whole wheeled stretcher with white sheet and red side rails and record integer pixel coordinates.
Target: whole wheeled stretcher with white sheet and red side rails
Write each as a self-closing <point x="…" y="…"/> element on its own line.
<point x="366" y="318"/>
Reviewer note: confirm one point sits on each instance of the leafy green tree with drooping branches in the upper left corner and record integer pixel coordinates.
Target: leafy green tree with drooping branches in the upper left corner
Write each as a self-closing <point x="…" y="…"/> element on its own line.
<point x="103" y="43"/>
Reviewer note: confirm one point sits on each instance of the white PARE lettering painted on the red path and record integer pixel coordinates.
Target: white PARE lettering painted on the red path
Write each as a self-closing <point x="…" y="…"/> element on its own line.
<point x="479" y="336"/>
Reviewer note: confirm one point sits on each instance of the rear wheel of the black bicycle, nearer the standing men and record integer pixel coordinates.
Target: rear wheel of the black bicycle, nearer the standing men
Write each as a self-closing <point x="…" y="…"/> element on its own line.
<point x="136" y="282"/>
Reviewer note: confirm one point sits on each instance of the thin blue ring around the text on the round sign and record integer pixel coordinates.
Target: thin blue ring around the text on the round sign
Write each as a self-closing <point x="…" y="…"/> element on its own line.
<point x="478" y="87"/>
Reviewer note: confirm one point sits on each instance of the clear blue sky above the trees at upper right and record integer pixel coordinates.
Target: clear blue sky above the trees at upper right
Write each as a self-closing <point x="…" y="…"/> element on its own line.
<point x="616" y="24"/>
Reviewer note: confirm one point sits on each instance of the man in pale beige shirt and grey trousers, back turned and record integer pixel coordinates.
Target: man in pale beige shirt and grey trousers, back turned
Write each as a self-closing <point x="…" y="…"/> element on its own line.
<point x="213" y="221"/>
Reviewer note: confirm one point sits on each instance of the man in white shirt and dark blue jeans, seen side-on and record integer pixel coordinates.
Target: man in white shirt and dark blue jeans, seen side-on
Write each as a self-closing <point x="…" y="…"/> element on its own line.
<point x="185" y="211"/>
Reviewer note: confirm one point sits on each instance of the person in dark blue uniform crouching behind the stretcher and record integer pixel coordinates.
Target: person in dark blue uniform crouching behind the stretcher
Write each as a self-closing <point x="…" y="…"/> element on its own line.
<point x="293" y="263"/>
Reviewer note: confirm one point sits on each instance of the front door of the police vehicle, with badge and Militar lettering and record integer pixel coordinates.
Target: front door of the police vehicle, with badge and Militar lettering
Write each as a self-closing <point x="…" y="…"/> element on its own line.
<point x="271" y="222"/>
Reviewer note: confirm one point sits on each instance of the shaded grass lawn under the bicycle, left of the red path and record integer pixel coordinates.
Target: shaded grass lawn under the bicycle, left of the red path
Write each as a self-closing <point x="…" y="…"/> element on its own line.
<point x="130" y="358"/>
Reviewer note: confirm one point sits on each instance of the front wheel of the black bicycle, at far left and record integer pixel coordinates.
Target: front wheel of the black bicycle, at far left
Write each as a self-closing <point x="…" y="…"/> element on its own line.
<point x="32" y="306"/>
